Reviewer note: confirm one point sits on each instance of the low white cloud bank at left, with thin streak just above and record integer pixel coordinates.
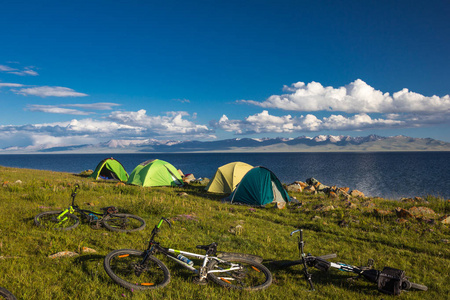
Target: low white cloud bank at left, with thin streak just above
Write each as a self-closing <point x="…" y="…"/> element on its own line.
<point x="118" y="125"/>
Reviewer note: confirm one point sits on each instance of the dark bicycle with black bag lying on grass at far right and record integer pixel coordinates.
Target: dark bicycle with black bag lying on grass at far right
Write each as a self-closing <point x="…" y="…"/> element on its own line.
<point x="390" y="281"/>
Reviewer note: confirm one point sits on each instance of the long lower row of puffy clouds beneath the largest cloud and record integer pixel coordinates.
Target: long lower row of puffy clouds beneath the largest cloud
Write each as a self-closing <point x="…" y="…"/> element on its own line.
<point x="266" y="123"/>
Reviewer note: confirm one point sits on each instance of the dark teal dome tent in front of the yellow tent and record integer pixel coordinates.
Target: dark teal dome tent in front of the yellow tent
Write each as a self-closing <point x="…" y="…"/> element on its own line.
<point x="259" y="186"/>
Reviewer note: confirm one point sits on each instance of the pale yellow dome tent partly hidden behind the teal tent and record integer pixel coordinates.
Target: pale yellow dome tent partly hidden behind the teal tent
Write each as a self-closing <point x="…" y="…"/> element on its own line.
<point x="227" y="177"/>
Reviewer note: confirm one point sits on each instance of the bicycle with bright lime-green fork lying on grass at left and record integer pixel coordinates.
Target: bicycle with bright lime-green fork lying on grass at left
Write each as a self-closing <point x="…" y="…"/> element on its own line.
<point x="109" y="218"/>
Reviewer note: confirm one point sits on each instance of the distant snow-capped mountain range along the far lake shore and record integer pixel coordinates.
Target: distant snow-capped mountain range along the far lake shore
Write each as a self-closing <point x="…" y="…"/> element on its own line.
<point x="320" y="143"/>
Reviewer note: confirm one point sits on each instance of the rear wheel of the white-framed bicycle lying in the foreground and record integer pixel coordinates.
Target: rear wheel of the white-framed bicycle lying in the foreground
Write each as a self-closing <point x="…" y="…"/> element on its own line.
<point x="251" y="275"/>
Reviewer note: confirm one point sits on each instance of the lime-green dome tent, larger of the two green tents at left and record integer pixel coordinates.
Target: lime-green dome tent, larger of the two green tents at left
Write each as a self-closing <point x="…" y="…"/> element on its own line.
<point x="155" y="173"/>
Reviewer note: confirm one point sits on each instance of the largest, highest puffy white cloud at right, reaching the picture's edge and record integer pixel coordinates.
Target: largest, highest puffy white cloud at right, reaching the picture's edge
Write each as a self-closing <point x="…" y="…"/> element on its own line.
<point x="356" y="97"/>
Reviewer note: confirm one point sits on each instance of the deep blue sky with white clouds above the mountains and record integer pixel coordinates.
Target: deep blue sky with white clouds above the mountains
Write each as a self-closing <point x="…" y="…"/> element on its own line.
<point x="91" y="71"/>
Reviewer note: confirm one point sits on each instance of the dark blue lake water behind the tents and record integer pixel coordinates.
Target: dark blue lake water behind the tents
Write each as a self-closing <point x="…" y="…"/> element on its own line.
<point x="387" y="174"/>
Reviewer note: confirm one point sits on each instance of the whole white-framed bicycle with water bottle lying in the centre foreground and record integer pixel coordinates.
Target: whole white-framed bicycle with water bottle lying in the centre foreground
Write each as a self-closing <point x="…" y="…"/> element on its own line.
<point x="141" y="270"/>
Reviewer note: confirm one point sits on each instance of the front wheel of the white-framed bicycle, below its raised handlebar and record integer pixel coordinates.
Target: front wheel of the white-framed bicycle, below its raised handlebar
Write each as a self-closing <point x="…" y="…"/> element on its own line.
<point x="126" y="267"/>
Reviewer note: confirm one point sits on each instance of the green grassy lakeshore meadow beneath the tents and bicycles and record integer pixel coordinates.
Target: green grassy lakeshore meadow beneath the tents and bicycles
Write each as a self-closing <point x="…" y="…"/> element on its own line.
<point x="419" y="247"/>
